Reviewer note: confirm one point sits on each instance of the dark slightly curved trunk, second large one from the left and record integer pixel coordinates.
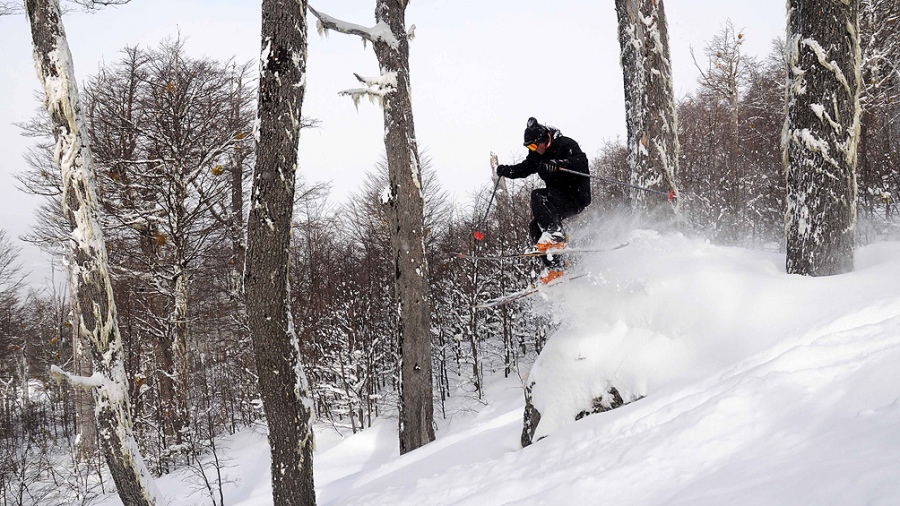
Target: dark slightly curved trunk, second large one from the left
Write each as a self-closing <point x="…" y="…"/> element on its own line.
<point x="282" y="381"/>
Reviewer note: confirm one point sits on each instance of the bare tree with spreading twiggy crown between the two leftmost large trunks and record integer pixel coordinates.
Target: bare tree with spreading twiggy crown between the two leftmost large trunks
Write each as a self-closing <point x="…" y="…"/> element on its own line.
<point x="163" y="128"/>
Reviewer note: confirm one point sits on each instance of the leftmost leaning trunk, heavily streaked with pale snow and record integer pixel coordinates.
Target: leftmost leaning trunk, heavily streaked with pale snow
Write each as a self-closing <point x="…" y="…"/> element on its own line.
<point x="90" y="278"/>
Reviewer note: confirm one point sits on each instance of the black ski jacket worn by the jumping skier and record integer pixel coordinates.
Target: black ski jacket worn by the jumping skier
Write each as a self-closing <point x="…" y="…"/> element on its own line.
<point x="566" y="154"/>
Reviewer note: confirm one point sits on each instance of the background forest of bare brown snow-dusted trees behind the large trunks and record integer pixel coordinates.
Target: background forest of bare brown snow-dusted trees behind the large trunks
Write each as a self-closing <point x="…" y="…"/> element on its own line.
<point x="174" y="144"/>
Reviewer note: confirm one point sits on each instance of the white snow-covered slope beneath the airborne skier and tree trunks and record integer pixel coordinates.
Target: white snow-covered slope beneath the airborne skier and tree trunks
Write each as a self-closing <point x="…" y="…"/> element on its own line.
<point x="758" y="388"/>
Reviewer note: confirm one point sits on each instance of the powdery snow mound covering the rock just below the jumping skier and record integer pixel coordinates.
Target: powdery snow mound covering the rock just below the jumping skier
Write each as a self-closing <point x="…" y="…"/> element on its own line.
<point x="666" y="311"/>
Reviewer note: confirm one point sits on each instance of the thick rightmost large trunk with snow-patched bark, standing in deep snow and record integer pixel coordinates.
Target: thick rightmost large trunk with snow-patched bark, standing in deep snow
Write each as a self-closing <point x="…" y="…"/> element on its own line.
<point x="821" y="135"/>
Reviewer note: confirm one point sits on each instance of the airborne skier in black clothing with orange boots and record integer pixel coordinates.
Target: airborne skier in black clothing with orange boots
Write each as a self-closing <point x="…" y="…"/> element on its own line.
<point x="565" y="194"/>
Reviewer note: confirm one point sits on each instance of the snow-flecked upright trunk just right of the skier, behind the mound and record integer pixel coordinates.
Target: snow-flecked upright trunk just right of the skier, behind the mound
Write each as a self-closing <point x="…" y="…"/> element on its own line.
<point x="652" y="129"/>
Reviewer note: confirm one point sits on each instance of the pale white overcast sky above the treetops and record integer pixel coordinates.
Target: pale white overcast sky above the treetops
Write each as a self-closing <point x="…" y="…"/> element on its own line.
<point x="479" y="70"/>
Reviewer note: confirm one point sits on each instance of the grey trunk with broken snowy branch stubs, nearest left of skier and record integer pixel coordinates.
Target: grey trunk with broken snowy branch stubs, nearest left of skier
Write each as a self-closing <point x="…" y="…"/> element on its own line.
<point x="407" y="233"/>
